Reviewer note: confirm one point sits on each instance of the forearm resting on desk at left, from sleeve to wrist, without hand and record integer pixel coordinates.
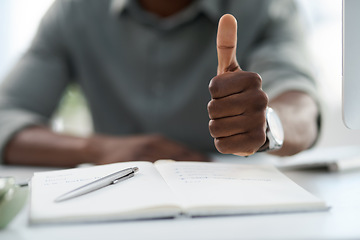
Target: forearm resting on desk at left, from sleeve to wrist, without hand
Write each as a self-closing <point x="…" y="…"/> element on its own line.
<point x="40" y="146"/>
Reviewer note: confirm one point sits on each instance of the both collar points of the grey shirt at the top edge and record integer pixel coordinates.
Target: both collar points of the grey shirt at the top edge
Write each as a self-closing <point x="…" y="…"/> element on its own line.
<point x="211" y="8"/>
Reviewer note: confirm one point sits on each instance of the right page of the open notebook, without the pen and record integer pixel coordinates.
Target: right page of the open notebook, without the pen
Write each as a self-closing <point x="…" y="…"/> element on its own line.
<point x="234" y="188"/>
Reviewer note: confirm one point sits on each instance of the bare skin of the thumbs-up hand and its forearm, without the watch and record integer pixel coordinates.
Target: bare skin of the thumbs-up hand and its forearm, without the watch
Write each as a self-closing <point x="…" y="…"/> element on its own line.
<point x="238" y="105"/>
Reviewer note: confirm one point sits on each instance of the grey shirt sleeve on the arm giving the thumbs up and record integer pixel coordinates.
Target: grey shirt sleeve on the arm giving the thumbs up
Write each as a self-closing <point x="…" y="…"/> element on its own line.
<point x="281" y="55"/>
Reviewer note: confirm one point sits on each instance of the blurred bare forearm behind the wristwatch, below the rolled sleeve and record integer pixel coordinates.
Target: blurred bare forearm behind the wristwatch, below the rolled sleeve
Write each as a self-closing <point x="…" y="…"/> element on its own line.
<point x="298" y="113"/>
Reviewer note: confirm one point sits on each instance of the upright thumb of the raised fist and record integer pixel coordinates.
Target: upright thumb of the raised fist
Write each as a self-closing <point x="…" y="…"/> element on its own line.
<point x="226" y="44"/>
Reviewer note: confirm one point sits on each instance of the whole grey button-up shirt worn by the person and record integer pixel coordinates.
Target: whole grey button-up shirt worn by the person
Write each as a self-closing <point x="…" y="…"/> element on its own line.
<point x="141" y="74"/>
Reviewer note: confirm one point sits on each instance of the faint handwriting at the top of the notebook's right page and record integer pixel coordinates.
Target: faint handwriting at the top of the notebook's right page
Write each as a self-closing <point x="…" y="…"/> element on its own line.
<point x="198" y="174"/>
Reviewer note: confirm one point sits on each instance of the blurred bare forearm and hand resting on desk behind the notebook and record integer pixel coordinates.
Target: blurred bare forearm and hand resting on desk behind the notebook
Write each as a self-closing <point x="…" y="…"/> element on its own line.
<point x="41" y="146"/>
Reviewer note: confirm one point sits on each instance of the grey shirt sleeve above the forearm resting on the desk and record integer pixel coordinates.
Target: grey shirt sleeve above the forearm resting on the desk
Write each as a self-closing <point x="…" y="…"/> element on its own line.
<point x="31" y="91"/>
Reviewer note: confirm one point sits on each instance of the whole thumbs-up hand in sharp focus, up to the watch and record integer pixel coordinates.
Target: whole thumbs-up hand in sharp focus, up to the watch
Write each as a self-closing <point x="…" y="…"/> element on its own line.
<point x="238" y="105"/>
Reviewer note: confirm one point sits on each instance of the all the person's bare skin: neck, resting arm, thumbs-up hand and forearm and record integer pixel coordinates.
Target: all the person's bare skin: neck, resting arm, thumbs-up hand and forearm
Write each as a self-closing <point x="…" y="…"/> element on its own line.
<point x="236" y="111"/>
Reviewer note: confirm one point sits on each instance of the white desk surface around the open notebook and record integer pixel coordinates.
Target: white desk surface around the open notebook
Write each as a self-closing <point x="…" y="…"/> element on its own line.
<point x="340" y="190"/>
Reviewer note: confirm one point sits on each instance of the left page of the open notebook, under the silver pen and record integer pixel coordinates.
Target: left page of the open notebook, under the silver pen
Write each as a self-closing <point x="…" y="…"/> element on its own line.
<point x="145" y="195"/>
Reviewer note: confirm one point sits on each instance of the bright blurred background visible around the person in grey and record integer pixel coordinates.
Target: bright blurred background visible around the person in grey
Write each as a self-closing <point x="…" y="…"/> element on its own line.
<point x="19" y="20"/>
